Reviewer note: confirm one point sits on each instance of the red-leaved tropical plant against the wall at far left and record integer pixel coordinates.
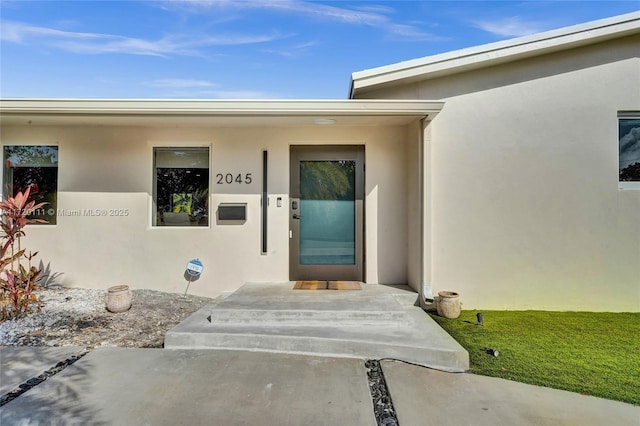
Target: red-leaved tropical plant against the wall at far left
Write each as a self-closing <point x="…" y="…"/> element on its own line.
<point x="17" y="281"/>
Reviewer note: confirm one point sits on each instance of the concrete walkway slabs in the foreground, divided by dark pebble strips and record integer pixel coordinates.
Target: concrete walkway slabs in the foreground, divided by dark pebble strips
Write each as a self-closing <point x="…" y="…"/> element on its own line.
<point x="117" y="386"/>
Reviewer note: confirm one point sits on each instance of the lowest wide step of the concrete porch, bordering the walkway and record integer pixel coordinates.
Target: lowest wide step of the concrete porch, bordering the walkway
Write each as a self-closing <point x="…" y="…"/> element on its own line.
<point x="424" y="343"/>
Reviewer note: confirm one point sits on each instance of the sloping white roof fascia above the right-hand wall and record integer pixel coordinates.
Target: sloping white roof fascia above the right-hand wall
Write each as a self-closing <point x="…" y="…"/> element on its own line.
<point x="499" y="52"/>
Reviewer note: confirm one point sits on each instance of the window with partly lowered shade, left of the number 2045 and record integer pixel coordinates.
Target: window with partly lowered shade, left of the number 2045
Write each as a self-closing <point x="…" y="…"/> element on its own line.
<point x="181" y="187"/>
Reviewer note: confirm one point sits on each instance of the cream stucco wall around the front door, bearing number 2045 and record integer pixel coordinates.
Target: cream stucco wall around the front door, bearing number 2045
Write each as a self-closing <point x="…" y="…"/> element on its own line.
<point x="112" y="168"/>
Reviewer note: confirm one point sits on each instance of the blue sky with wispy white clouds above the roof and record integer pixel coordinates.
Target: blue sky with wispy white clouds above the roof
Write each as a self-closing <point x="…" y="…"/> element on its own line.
<point x="247" y="49"/>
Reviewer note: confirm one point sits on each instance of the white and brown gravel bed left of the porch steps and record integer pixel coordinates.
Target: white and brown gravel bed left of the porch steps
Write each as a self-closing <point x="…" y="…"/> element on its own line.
<point x="78" y="317"/>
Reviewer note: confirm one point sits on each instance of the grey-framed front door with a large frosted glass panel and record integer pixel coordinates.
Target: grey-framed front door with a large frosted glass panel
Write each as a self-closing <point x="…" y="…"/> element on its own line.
<point x="326" y="213"/>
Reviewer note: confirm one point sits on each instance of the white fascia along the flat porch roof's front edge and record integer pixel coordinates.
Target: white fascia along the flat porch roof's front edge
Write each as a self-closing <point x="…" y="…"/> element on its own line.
<point x="210" y="108"/>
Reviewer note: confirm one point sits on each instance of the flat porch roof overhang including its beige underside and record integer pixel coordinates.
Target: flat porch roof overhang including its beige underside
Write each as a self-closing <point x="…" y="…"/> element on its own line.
<point x="213" y="113"/>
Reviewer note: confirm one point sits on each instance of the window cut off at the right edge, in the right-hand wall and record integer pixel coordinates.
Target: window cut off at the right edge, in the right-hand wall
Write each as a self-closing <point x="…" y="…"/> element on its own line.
<point x="629" y="150"/>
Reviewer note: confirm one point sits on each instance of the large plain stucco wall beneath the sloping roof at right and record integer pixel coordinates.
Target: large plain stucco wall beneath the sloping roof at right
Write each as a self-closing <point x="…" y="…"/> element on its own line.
<point x="526" y="210"/>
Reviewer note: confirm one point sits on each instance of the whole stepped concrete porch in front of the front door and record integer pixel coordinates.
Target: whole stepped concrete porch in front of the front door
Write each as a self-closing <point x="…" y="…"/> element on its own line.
<point x="376" y="322"/>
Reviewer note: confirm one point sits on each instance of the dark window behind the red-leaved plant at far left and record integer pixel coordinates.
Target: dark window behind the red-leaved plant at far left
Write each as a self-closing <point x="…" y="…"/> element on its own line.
<point x="34" y="167"/>
